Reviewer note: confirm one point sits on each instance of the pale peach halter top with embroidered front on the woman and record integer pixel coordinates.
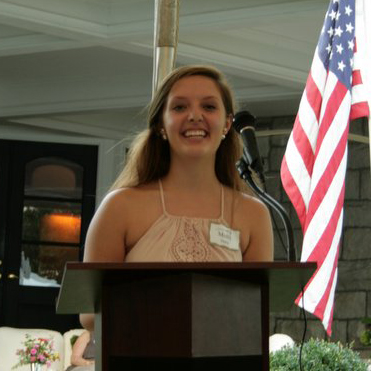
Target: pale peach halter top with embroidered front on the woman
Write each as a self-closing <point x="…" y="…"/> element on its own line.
<point x="181" y="239"/>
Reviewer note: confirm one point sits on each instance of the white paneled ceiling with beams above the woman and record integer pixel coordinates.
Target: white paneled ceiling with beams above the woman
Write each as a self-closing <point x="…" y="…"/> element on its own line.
<point x="85" y="66"/>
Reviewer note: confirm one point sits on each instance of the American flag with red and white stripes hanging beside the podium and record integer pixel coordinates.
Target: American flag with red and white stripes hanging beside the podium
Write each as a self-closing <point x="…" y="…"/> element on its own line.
<point x="314" y="166"/>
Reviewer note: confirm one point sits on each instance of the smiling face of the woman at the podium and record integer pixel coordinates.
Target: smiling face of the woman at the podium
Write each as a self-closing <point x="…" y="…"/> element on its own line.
<point x="194" y="117"/>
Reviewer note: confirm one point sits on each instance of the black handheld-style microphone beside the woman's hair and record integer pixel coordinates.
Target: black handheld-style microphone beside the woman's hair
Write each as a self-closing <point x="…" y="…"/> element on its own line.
<point x="244" y="124"/>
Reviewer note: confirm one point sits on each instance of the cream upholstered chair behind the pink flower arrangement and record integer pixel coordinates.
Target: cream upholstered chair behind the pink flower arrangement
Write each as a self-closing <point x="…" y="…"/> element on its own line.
<point x="11" y="340"/>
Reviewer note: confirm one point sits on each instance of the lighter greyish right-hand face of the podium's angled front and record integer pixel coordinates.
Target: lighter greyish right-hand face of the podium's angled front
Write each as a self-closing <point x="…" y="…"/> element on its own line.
<point x="226" y="317"/>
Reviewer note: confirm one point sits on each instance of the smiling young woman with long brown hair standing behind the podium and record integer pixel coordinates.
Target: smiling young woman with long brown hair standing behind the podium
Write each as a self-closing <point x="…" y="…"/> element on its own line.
<point x="179" y="196"/>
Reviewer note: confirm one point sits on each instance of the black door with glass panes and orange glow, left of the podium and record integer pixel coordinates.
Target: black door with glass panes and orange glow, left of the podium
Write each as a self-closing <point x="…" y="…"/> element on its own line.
<point x="47" y="199"/>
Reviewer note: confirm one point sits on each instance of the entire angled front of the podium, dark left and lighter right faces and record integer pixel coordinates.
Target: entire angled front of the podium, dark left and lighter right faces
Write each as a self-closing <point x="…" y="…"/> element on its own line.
<point x="188" y="315"/>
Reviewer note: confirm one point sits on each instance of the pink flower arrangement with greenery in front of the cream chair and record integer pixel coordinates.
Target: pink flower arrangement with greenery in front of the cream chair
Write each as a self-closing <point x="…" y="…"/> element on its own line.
<point x="38" y="351"/>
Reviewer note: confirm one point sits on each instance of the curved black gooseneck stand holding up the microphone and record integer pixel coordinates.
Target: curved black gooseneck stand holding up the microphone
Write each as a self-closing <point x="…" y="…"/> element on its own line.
<point x="245" y="174"/>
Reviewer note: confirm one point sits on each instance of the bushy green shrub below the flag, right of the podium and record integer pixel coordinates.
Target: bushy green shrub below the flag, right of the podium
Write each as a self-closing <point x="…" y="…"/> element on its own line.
<point x="317" y="355"/>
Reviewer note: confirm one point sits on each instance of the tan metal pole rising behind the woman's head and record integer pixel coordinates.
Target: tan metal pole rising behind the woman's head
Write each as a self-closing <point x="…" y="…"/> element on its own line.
<point x="165" y="39"/>
